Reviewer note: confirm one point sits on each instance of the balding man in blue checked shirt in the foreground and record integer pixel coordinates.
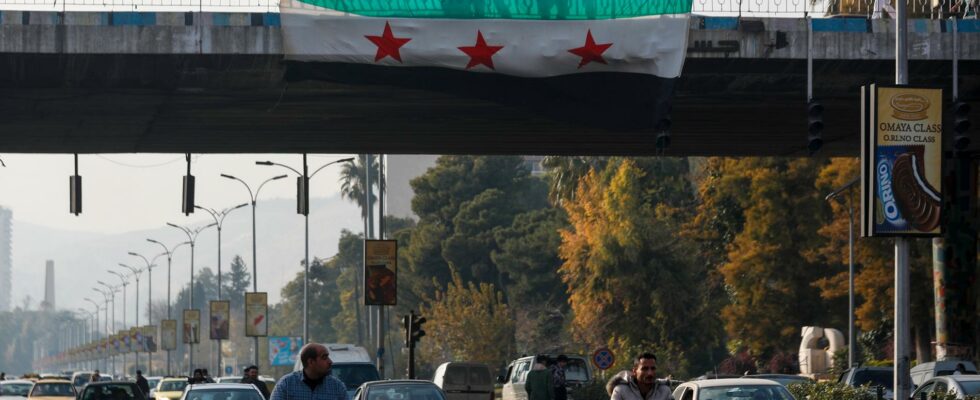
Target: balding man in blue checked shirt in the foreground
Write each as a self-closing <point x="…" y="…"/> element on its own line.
<point x="314" y="381"/>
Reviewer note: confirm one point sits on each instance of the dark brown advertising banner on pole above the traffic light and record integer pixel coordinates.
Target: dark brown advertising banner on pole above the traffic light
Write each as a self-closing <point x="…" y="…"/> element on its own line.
<point x="380" y="272"/>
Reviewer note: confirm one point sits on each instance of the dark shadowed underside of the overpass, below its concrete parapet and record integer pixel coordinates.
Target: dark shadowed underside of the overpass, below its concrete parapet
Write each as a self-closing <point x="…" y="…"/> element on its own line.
<point x="233" y="103"/>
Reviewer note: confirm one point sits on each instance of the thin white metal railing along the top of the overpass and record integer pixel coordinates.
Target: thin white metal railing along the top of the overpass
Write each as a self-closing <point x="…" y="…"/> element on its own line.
<point x="743" y="8"/>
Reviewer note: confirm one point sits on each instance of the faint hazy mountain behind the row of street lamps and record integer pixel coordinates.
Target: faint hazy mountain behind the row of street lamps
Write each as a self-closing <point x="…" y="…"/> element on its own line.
<point x="81" y="258"/>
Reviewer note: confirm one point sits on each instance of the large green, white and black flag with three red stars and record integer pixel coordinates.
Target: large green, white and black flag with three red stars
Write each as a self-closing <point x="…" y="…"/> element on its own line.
<point x="614" y="45"/>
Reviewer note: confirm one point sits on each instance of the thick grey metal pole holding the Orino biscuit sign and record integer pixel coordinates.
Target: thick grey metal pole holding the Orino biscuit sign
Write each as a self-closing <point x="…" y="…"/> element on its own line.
<point x="901" y="382"/>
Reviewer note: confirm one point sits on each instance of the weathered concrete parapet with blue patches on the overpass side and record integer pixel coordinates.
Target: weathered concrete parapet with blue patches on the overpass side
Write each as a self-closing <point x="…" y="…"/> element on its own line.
<point x="258" y="33"/>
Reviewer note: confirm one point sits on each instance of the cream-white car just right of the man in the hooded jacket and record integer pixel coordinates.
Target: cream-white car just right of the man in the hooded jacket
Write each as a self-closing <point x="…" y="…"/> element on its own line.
<point x="732" y="389"/>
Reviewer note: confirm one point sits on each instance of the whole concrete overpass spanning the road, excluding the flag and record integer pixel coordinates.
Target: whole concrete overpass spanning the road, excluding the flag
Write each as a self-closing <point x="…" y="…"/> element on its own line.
<point x="216" y="82"/>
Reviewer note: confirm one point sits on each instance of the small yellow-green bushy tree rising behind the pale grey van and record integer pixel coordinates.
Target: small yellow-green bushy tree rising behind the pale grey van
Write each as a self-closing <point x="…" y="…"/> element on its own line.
<point x="467" y="321"/>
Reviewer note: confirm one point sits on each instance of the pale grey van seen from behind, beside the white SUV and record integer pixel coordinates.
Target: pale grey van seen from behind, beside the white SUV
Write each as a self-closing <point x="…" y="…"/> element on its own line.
<point x="465" y="381"/>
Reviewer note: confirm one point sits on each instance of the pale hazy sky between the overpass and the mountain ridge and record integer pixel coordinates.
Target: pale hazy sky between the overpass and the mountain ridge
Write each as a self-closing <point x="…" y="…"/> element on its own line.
<point x="124" y="192"/>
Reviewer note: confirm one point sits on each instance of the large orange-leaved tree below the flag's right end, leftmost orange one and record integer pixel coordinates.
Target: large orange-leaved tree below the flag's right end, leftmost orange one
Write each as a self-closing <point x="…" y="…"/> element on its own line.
<point x="632" y="282"/>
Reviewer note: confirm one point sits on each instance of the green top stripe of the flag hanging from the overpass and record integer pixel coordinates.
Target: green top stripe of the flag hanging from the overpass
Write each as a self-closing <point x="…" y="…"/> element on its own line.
<point x="506" y="9"/>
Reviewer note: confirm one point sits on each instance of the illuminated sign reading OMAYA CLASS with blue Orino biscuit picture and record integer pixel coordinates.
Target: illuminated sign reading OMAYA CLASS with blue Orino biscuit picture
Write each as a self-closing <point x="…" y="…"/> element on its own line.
<point x="901" y="161"/>
